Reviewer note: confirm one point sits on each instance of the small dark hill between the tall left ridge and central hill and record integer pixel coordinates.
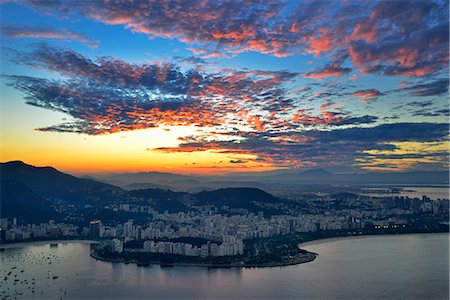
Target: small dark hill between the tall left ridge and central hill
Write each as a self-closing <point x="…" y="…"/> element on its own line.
<point x="161" y="200"/>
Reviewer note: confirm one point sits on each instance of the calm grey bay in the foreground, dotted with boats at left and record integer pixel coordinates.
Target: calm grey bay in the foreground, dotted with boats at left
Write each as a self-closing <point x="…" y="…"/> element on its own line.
<point x="397" y="267"/>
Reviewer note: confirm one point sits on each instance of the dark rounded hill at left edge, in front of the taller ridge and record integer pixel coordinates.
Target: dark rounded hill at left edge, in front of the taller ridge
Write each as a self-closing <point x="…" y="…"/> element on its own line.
<point x="18" y="200"/>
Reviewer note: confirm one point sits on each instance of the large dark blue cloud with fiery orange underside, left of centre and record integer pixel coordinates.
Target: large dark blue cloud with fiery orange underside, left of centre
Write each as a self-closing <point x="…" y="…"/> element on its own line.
<point x="108" y="95"/>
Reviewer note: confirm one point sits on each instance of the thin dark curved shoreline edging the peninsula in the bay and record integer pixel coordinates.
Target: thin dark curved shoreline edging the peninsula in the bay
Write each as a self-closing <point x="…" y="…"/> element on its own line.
<point x="308" y="257"/>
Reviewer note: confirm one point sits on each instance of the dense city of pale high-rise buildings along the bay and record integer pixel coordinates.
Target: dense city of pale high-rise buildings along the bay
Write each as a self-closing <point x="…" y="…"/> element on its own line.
<point x="222" y="231"/>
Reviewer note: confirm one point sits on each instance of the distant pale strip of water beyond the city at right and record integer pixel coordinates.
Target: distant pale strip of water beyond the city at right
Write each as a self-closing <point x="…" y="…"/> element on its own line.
<point x="433" y="192"/>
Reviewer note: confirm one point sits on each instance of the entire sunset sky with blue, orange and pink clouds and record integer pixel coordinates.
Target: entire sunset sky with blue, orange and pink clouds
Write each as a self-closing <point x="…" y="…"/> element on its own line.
<point x="212" y="87"/>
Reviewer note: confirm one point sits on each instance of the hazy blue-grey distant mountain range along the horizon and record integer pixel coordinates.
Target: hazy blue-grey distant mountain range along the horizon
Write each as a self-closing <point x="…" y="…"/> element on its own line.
<point x="270" y="180"/>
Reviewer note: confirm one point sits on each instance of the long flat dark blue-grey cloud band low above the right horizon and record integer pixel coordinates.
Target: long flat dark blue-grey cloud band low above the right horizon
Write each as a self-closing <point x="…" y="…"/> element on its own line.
<point x="316" y="147"/>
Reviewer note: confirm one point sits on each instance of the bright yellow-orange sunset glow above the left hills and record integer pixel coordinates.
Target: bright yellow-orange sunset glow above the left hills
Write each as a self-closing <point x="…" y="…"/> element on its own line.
<point x="121" y="152"/>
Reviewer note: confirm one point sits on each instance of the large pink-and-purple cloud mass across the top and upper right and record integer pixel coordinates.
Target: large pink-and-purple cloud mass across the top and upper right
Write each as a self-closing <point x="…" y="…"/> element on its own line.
<point x="405" y="37"/>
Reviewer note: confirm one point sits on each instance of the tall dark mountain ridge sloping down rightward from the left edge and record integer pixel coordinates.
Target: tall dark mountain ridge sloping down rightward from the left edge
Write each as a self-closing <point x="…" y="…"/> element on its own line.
<point x="54" y="185"/>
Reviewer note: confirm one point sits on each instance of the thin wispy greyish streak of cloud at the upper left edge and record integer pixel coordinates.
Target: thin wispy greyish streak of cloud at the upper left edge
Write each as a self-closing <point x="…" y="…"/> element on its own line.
<point x="45" y="33"/>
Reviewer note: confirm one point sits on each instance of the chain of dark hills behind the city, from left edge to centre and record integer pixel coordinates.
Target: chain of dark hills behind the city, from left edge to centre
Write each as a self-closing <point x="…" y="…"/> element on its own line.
<point x="33" y="194"/>
